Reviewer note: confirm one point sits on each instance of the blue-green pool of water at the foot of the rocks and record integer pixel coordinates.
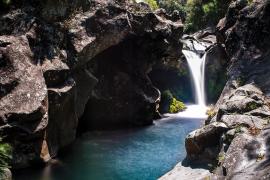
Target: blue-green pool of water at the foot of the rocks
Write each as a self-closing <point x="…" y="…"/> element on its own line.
<point x="134" y="154"/>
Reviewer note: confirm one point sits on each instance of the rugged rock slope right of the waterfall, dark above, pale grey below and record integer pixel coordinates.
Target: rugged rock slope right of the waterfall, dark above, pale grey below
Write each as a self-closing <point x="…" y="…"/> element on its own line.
<point x="242" y="147"/>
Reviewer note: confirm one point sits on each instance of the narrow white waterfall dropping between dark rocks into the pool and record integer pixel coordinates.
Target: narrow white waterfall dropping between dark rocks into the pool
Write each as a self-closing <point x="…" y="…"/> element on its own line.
<point x="197" y="65"/>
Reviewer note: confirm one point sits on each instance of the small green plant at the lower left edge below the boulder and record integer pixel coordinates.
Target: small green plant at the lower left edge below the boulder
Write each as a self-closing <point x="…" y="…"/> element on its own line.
<point x="5" y="156"/>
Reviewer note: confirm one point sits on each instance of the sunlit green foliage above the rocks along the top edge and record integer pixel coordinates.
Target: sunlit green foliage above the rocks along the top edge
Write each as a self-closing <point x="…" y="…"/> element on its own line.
<point x="197" y="14"/>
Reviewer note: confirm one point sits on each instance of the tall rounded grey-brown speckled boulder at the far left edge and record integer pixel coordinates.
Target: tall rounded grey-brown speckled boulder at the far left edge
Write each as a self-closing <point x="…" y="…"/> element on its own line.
<point x="23" y="103"/>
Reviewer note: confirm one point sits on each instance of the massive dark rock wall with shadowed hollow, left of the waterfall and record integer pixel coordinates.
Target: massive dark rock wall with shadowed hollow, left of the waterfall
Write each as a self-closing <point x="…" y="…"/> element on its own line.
<point x="64" y="64"/>
